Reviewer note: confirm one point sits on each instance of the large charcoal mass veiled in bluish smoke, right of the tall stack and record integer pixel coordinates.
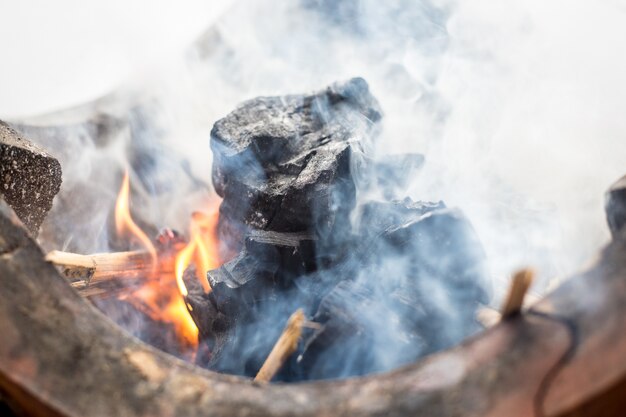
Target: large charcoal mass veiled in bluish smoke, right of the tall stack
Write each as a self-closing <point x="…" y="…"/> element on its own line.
<point x="433" y="269"/>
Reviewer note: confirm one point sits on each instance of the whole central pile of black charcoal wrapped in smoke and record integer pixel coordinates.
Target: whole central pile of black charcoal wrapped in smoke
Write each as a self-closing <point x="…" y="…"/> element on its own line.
<point x="386" y="281"/>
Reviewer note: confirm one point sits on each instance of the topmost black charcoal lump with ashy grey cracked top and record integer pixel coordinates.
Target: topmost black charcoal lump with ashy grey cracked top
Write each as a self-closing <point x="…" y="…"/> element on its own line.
<point x="283" y="163"/>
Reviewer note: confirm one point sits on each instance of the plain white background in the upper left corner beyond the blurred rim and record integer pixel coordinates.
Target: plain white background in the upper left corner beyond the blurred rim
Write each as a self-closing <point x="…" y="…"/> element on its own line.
<point x="56" y="54"/>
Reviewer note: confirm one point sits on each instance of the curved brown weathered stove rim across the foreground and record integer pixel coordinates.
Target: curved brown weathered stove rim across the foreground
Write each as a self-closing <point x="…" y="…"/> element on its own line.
<point x="59" y="356"/>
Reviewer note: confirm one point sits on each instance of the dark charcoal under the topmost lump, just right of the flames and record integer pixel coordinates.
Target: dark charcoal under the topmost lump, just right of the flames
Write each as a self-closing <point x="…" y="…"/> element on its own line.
<point x="245" y="293"/>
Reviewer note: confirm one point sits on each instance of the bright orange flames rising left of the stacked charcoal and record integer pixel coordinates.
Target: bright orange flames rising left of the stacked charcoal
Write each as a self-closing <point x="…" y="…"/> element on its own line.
<point x="163" y="299"/>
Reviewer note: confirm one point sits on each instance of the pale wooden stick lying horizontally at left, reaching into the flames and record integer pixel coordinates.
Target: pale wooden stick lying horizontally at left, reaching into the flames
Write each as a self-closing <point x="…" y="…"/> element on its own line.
<point x="99" y="267"/>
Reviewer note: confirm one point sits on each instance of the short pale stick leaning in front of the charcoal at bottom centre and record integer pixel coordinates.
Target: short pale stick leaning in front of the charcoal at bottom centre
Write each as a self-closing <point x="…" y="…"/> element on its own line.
<point x="285" y="346"/>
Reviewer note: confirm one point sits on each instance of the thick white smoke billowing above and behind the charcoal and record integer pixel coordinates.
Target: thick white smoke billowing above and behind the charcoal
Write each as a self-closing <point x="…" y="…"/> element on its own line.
<point x="517" y="106"/>
